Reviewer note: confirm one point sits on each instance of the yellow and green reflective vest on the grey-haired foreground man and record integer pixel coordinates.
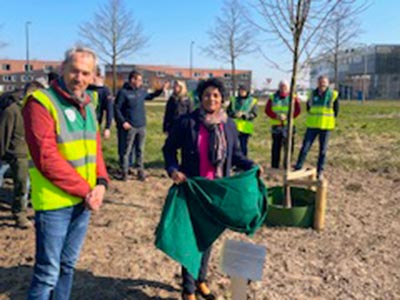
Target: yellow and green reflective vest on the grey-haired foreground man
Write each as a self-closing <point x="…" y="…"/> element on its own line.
<point x="76" y="143"/>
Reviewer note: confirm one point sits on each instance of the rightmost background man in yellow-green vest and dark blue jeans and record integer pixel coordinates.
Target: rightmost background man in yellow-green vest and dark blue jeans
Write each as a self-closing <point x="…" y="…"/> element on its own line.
<point x="322" y="111"/>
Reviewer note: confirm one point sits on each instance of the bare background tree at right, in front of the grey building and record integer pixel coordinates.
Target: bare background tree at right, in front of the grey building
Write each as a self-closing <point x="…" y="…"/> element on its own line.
<point x="344" y="28"/>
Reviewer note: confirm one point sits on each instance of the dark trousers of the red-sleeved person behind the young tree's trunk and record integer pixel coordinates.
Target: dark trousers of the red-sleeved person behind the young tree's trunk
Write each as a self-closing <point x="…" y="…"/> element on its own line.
<point x="279" y="140"/>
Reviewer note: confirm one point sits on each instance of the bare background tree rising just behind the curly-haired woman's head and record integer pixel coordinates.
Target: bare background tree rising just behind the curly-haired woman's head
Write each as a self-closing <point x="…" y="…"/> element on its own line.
<point x="231" y="37"/>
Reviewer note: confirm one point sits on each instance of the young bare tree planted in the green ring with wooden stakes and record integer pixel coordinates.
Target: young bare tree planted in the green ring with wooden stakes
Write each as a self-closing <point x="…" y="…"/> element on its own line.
<point x="297" y="25"/>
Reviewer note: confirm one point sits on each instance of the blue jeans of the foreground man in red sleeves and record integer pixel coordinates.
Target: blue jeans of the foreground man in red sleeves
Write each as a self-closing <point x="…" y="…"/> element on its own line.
<point x="59" y="239"/>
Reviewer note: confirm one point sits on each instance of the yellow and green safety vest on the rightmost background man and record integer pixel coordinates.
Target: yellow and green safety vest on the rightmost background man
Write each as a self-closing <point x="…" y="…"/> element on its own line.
<point x="321" y="114"/>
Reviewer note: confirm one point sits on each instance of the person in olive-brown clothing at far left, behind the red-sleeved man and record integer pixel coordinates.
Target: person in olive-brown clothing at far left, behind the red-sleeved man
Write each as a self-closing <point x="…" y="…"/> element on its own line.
<point x="13" y="151"/>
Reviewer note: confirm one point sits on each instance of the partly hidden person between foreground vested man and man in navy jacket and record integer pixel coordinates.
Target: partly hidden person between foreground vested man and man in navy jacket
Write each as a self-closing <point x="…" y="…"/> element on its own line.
<point x="105" y="102"/>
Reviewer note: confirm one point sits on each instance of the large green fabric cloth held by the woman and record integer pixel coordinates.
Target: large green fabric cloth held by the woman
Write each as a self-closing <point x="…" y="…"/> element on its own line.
<point x="197" y="212"/>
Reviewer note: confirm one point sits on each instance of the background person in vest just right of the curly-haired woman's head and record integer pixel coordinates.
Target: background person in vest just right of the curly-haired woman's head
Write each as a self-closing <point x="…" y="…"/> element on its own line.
<point x="243" y="109"/>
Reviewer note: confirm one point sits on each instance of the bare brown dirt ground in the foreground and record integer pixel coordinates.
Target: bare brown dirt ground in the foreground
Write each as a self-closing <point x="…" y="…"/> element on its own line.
<point x="356" y="257"/>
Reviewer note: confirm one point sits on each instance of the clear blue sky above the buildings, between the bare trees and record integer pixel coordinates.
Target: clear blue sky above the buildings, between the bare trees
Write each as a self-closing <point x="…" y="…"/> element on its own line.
<point x="171" y="26"/>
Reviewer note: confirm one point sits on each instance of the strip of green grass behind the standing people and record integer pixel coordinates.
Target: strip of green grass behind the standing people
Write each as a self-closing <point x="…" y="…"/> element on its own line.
<point x="367" y="137"/>
